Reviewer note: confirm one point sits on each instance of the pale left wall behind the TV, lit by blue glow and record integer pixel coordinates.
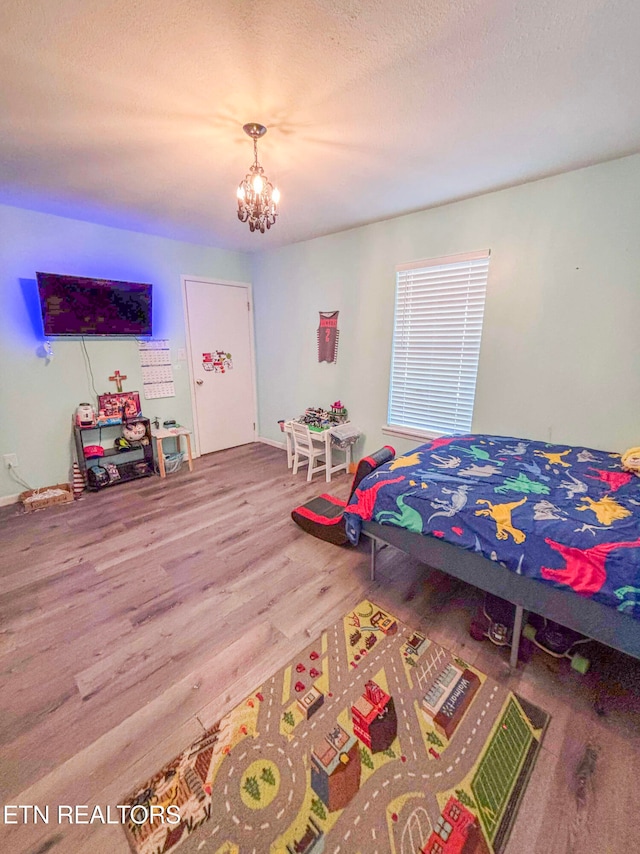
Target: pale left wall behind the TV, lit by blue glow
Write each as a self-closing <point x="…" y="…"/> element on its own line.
<point x="49" y="389"/>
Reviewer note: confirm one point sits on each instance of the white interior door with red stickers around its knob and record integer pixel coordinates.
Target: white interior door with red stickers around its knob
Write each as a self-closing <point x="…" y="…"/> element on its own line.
<point x="221" y="352"/>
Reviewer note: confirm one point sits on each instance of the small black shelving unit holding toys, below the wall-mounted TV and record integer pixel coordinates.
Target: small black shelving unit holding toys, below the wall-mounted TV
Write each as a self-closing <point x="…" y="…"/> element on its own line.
<point x="131" y="465"/>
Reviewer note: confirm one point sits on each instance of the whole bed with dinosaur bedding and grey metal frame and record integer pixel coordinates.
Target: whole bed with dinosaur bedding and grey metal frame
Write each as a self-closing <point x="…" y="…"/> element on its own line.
<point x="553" y="529"/>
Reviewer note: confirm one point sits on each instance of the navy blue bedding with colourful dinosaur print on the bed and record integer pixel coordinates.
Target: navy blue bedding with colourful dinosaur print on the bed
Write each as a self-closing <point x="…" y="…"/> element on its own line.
<point x="565" y="516"/>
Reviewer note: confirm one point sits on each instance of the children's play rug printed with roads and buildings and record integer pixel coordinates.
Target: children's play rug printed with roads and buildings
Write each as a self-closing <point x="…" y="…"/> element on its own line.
<point x="374" y="739"/>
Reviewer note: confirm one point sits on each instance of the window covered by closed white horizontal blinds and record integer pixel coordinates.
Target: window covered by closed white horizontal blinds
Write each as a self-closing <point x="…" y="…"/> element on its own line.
<point x="436" y="344"/>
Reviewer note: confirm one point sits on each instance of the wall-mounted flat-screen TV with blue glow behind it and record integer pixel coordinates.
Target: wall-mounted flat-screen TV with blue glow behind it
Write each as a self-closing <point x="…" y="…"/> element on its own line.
<point x="72" y="305"/>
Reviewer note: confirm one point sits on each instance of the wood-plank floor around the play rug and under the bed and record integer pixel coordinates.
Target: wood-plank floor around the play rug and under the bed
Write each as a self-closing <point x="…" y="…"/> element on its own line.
<point x="134" y="618"/>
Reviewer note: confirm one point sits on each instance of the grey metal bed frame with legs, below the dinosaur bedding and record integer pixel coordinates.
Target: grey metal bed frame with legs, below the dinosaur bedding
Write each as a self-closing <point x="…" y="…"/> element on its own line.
<point x="597" y="621"/>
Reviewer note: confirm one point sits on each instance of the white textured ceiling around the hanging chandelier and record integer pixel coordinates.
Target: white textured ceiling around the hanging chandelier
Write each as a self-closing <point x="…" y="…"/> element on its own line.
<point x="130" y="112"/>
